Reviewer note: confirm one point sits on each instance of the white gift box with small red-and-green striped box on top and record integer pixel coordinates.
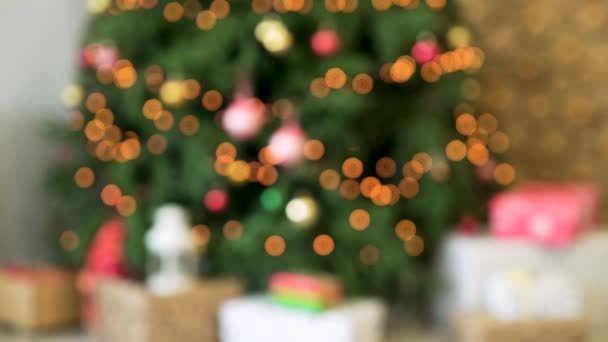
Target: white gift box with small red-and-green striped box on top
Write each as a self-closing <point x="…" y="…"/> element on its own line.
<point x="257" y="318"/>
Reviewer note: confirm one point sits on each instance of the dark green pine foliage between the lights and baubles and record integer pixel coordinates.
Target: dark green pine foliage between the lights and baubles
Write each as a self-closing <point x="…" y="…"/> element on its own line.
<point x="396" y="120"/>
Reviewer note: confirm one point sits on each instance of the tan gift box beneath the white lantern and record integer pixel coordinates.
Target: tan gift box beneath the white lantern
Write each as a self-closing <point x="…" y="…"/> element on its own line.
<point x="129" y="312"/>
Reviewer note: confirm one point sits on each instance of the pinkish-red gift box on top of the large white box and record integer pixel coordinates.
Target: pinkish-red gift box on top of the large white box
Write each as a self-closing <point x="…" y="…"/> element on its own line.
<point x="550" y="214"/>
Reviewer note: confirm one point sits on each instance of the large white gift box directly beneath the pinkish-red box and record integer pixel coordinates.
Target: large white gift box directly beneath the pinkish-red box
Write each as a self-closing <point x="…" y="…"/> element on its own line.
<point x="466" y="264"/>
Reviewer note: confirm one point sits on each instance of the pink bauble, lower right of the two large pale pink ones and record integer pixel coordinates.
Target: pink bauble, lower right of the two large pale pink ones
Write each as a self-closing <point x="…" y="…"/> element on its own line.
<point x="287" y="143"/>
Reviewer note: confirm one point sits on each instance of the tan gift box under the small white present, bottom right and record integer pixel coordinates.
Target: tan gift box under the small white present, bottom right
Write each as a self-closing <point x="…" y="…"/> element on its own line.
<point x="483" y="328"/>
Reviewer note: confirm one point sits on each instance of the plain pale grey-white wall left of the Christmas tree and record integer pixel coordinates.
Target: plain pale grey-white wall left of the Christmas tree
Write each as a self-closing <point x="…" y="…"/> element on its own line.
<point x="37" y="54"/>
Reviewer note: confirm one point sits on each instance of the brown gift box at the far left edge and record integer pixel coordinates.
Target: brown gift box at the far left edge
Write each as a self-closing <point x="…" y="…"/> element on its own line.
<point x="37" y="298"/>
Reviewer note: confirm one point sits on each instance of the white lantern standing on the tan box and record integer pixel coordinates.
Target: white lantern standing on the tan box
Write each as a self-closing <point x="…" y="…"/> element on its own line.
<point x="173" y="264"/>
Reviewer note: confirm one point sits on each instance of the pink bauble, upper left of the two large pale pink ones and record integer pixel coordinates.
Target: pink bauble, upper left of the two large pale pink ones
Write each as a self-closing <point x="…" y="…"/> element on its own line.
<point x="244" y="118"/>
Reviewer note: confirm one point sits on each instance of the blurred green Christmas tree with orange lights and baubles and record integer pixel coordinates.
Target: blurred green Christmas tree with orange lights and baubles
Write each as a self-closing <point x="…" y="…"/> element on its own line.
<point x="322" y="135"/>
